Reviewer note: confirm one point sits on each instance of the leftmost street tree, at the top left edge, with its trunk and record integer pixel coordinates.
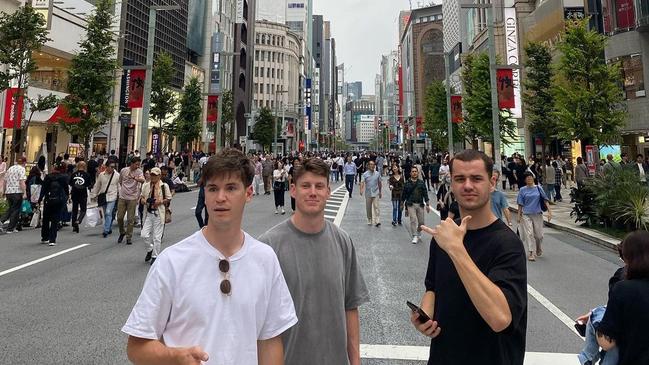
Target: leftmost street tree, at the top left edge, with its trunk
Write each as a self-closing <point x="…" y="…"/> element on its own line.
<point x="21" y="33"/>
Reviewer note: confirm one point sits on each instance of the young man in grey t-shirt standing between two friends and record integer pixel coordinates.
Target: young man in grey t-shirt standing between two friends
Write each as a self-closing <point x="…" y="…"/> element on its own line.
<point x="319" y="264"/>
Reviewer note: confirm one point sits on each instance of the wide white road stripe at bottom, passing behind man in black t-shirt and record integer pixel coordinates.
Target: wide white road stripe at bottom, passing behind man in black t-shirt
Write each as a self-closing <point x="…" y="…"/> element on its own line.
<point x="420" y="353"/>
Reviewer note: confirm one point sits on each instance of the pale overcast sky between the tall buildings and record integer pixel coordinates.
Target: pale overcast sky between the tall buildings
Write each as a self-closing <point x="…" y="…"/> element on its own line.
<point x="364" y="30"/>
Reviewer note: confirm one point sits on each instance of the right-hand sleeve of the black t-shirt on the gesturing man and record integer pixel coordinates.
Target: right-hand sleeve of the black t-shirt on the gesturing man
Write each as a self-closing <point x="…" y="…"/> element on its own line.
<point x="509" y="273"/>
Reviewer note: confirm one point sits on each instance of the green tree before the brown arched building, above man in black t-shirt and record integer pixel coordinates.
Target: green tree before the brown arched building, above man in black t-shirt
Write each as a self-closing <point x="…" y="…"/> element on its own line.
<point x="436" y="117"/>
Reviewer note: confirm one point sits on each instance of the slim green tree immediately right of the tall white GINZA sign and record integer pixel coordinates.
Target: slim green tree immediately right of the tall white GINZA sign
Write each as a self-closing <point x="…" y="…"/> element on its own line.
<point x="538" y="97"/>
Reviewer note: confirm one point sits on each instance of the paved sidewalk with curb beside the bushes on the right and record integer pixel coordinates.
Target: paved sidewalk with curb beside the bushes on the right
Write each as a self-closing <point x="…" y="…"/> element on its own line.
<point x="561" y="220"/>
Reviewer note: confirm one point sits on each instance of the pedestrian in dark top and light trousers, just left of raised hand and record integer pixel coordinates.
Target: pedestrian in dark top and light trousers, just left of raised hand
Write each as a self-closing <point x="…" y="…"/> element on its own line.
<point x="415" y="198"/>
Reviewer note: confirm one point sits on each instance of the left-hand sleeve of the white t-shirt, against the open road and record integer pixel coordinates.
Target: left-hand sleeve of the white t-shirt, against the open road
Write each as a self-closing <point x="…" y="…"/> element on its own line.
<point x="149" y="316"/>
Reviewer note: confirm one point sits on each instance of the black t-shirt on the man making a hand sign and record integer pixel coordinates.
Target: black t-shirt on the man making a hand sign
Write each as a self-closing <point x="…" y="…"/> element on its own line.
<point x="465" y="337"/>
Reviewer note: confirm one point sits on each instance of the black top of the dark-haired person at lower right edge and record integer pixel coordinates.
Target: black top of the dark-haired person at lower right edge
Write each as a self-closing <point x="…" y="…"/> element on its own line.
<point x="626" y="320"/>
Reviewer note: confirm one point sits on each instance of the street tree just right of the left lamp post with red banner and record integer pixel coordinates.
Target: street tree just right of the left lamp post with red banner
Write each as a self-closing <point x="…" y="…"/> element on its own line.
<point x="163" y="99"/>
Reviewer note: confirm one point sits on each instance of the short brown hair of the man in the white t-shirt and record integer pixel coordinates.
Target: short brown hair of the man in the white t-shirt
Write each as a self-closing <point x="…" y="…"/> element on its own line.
<point x="229" y="161"/>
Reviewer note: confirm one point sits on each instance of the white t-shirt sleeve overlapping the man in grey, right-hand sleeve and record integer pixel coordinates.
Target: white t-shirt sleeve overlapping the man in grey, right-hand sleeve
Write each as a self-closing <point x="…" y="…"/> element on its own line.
<point x="280" y="313"/>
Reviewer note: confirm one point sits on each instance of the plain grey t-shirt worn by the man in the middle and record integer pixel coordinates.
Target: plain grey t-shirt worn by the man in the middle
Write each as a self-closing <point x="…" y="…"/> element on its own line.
<point x="324" y="279"/>
